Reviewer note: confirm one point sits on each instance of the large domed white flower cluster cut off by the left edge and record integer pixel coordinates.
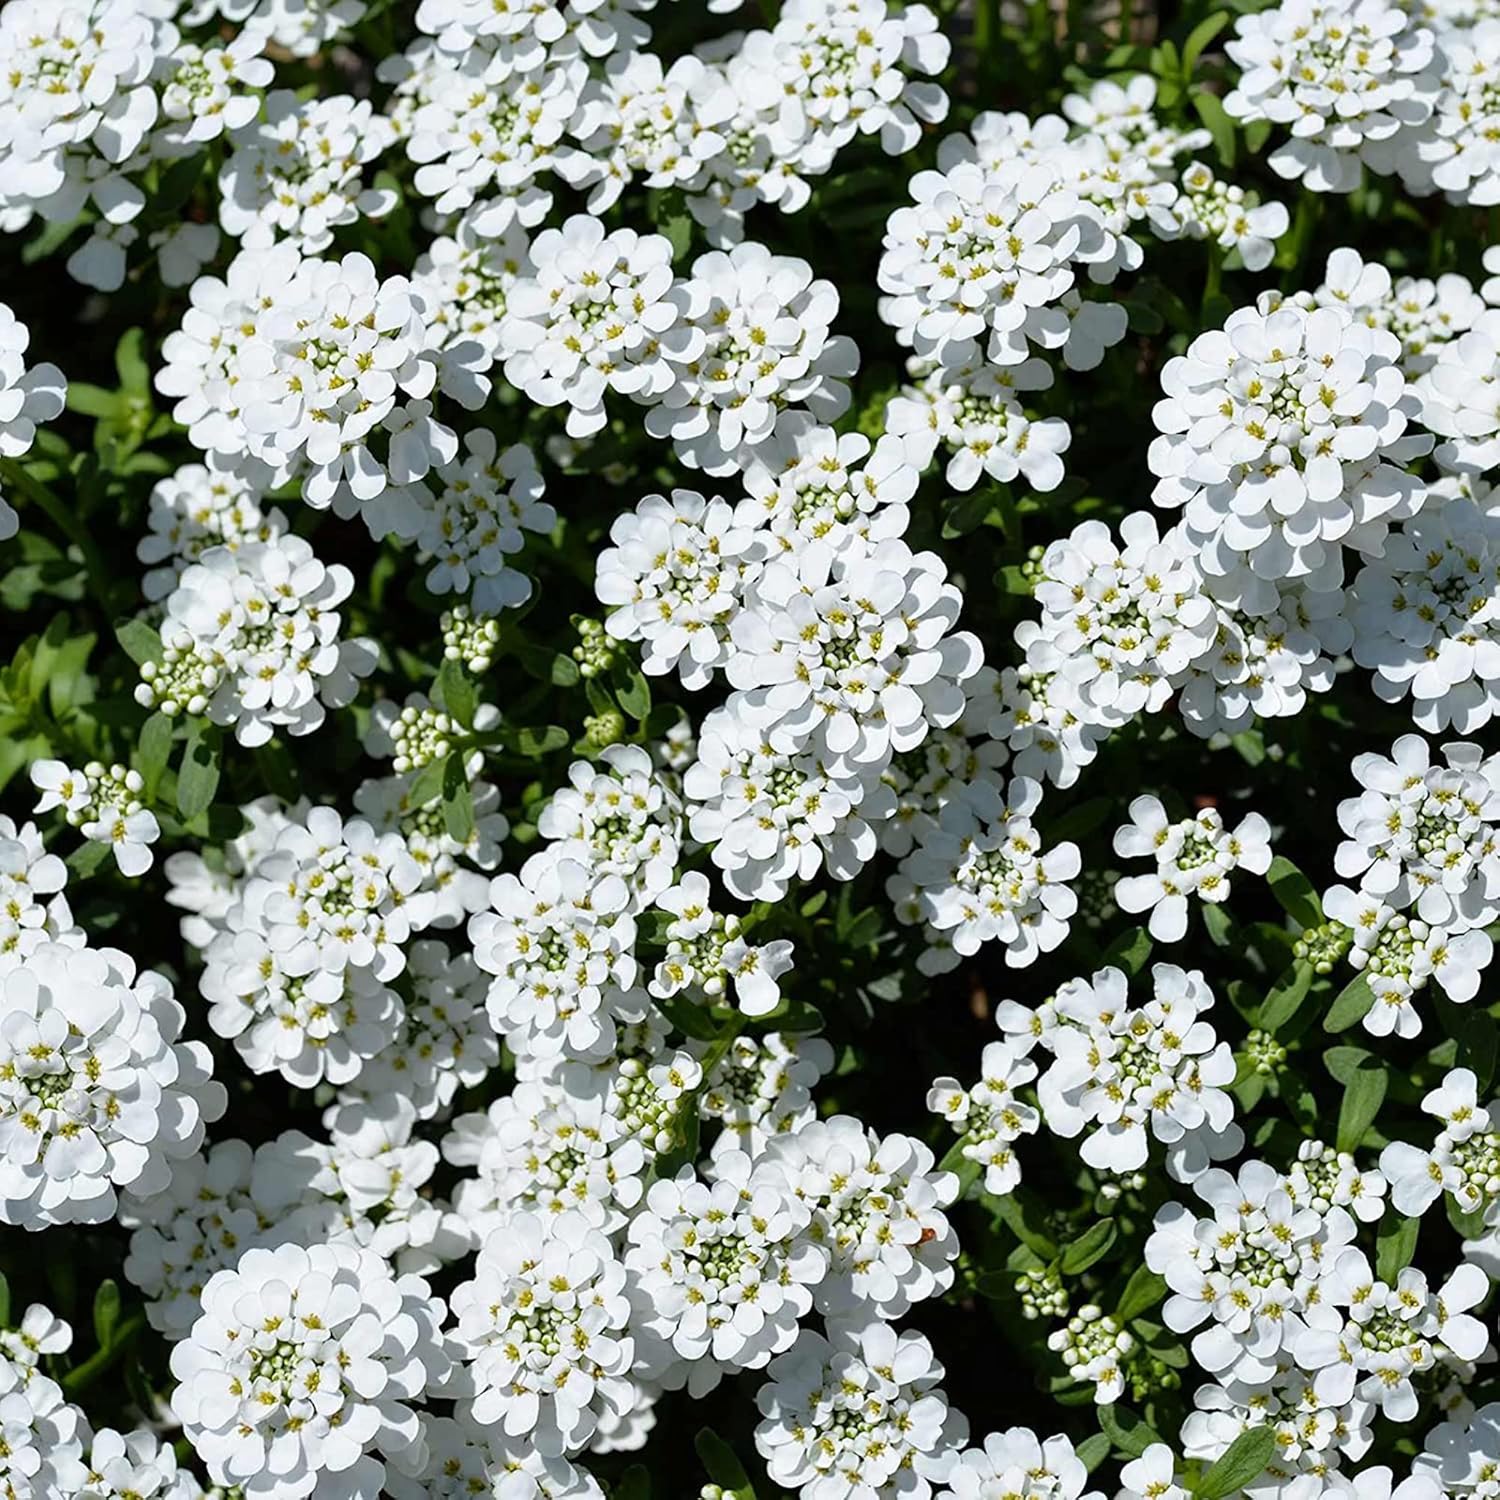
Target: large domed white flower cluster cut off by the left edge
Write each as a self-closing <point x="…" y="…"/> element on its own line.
<point x="97" y="1091"/>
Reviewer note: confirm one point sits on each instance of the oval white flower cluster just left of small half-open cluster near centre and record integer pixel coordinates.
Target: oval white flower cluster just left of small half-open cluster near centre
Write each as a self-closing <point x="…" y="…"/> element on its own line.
<point x="560" y="944"/>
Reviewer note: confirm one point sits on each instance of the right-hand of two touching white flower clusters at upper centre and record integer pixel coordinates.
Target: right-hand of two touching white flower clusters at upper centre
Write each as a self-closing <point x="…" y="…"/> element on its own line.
<point x="749" y="341"/>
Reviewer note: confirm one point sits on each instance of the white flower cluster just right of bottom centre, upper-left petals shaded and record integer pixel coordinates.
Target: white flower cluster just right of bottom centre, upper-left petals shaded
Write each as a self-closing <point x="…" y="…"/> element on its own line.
<point x="860" y="1415"/>
